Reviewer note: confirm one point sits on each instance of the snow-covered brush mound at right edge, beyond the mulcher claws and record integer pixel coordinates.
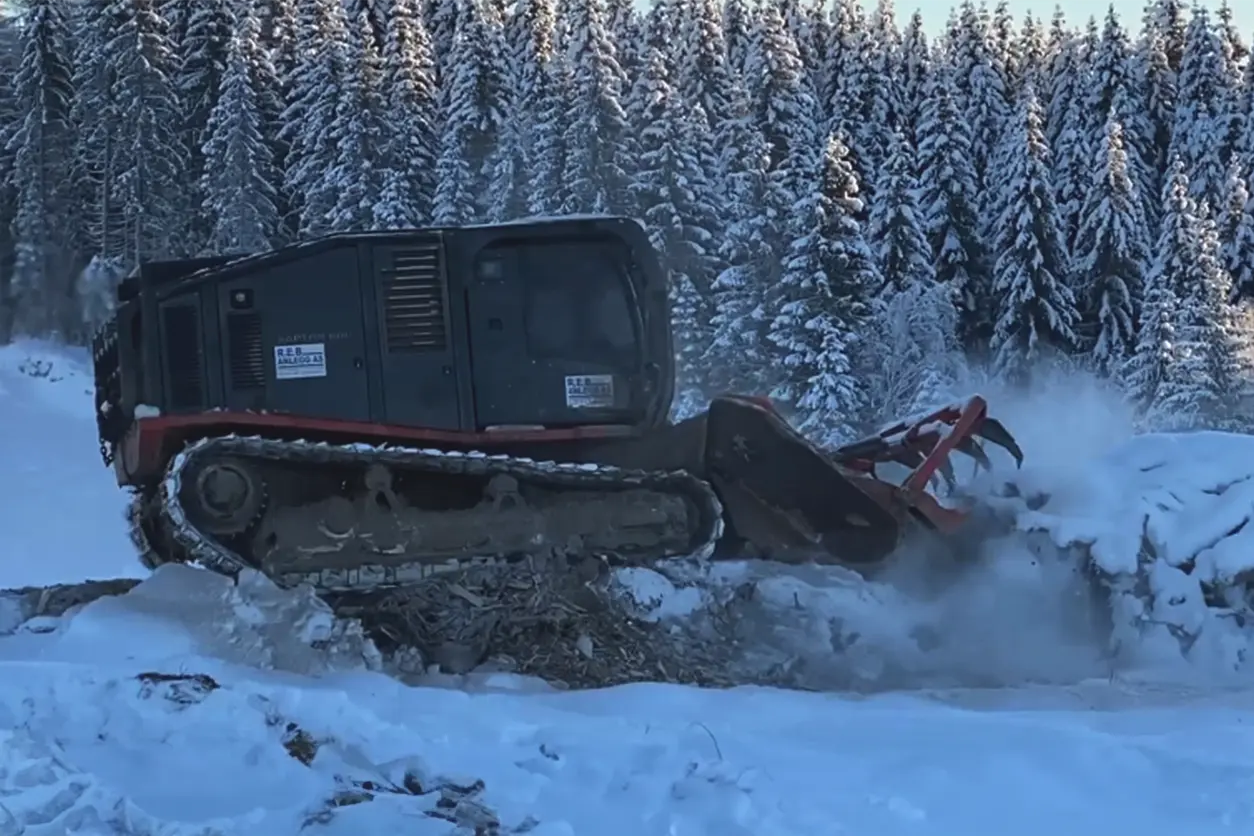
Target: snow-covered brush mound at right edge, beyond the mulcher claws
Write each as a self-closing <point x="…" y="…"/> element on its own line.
<point x="1164" y="525"/>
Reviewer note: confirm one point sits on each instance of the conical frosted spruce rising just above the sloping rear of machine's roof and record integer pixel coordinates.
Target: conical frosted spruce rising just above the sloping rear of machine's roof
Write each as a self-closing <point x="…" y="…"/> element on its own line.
<point x="239" y="177"/>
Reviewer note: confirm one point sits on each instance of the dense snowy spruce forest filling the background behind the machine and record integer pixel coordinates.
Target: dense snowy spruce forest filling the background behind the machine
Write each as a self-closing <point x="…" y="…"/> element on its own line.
<point x="858" y="220"/>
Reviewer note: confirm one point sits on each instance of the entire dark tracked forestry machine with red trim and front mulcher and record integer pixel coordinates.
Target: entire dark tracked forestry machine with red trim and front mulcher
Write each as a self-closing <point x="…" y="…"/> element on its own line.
<point x="373" y="410"/>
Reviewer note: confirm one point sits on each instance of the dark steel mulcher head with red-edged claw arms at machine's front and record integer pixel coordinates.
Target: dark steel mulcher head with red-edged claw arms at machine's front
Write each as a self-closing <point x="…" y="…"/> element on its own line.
<point x="796" y="502"/>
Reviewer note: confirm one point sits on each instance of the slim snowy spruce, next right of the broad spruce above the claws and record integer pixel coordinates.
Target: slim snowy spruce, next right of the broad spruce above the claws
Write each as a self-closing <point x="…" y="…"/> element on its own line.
<point x="1112" y="255"/>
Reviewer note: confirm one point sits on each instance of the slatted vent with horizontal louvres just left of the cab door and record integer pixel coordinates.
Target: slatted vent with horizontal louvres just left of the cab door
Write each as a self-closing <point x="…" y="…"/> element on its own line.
<point x="414" y="301"/>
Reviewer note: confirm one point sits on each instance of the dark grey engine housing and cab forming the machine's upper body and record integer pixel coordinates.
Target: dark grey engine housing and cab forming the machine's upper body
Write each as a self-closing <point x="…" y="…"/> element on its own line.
<point x="535" y="325"/>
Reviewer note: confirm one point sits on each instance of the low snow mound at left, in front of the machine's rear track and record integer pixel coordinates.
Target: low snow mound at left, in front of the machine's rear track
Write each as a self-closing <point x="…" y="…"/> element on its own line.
<point x="184" y="612"/>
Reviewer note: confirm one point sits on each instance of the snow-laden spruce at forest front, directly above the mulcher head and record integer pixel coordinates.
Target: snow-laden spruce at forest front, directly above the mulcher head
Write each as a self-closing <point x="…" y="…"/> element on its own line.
<point x="821" y="306"/>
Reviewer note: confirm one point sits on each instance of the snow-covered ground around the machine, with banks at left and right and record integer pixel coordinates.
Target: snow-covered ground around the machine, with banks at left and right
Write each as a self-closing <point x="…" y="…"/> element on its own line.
<point x="196" y="706"/>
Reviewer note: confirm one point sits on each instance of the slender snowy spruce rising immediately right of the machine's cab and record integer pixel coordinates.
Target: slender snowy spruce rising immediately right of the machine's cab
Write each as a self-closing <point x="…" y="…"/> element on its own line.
<point x="674" y="197"/>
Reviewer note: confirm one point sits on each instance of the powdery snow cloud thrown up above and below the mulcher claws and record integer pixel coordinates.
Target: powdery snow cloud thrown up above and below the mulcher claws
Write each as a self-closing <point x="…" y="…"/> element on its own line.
<point x="1013" y="610"/>
